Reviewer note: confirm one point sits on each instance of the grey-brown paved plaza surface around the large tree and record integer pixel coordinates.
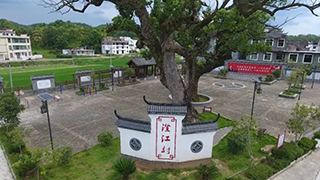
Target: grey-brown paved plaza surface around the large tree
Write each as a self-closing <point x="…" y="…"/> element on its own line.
<point x="77" y="120"/>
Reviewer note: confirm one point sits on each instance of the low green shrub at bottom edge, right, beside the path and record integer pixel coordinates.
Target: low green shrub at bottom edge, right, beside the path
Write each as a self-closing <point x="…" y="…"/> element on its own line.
<point x="260" y="172"/>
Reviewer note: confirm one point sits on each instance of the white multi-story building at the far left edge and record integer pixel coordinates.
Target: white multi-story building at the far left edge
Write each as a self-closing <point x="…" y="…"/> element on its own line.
<point x="14" y="47"/>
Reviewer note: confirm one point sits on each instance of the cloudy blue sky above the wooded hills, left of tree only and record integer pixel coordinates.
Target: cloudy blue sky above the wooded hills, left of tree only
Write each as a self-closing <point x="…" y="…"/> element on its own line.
<point x="29" y="12"/>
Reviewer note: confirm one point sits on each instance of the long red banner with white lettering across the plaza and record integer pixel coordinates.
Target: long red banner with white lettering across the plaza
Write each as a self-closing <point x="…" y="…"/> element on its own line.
<point x="252" y="68"/>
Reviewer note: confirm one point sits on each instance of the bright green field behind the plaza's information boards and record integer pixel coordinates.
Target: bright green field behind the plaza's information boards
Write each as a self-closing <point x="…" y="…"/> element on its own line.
<point x="62" y="72"/>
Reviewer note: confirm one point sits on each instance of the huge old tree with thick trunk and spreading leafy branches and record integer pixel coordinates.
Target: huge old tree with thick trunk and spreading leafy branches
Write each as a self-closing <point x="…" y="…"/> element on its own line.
<point x="205" y="35"/>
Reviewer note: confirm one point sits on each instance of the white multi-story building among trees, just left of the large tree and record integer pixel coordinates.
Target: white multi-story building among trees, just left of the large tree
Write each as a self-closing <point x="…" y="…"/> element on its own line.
<point x="124" y="45"/>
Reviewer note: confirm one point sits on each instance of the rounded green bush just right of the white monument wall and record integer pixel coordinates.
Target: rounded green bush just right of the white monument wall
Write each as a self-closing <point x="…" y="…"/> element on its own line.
<point x="237" y="141"/>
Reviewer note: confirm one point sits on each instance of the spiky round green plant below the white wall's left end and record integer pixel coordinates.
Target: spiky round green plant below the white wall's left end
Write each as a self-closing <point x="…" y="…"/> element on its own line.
<point x="125" y="166"/>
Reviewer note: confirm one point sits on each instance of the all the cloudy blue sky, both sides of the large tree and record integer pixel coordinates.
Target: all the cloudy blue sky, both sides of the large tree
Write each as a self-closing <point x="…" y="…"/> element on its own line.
<point x="28" y="12"/>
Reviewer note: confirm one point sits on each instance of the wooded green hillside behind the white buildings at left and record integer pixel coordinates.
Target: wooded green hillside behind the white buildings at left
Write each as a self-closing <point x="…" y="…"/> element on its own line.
<point x="62" y="35"/>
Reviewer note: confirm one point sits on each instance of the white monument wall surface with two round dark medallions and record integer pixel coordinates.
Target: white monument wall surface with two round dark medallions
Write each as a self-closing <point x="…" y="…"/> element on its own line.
<point x="151" y="145"/>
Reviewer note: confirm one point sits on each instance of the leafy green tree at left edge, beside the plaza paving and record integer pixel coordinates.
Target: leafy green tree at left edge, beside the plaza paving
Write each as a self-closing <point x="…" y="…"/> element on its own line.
<point x="10" y="109"/>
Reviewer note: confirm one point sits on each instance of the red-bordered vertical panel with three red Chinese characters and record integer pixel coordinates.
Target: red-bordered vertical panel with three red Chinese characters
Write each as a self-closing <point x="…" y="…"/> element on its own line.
<point x="166" y="129"/>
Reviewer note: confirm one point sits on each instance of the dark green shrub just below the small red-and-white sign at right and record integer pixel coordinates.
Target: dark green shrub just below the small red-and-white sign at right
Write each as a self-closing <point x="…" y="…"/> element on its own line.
<point x="290" y="152"/>
